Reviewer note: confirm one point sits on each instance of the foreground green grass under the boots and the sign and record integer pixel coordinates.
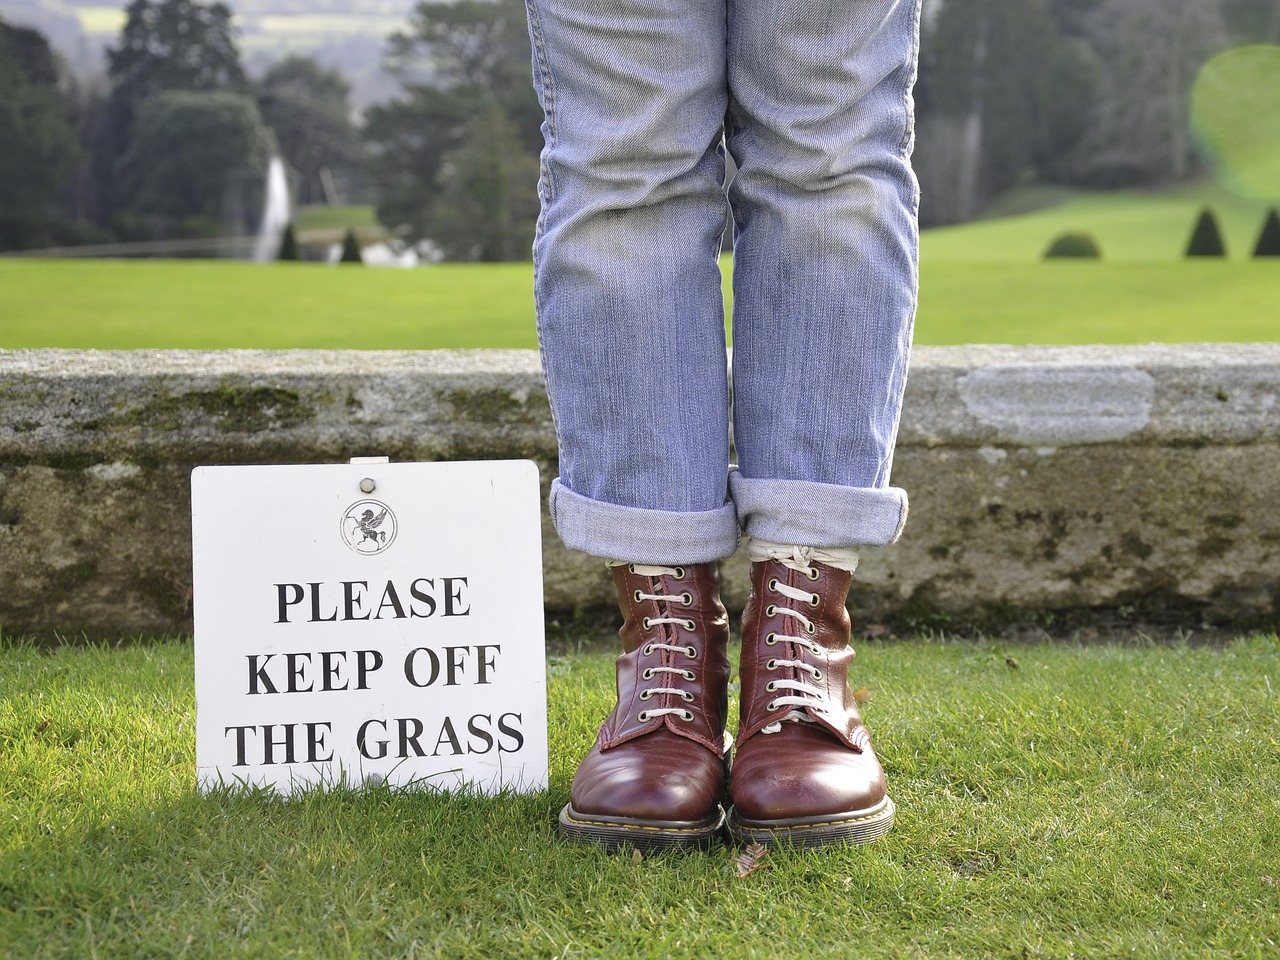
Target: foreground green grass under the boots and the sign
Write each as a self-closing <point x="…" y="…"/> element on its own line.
<point x="1118" y="801"/>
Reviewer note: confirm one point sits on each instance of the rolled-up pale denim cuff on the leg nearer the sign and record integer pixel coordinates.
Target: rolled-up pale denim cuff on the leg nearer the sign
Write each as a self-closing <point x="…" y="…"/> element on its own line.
<point x="642" y="536"/>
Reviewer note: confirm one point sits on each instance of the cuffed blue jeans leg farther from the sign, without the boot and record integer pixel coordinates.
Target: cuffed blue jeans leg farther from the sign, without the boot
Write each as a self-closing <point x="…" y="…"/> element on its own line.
<point x="825" y="273"/>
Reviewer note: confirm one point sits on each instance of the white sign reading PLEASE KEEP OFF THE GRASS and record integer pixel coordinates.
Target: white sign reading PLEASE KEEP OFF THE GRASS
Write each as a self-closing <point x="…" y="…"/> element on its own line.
<point x="369" y="621"/>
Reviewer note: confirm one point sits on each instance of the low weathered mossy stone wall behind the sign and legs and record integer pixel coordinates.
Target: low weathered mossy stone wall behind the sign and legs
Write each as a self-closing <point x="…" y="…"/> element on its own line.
<point x="1044" y="482"/>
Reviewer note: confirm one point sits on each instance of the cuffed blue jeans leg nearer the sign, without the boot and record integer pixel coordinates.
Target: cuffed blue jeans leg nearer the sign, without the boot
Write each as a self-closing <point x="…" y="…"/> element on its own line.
<point x="627" y="275"/>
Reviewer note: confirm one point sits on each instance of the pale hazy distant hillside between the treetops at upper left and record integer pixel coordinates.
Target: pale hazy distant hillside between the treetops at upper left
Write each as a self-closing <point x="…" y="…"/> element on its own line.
<point x="345" y="34"/>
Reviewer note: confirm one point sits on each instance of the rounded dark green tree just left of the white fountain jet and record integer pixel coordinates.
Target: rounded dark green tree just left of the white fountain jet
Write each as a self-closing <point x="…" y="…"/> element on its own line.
<point x="195" y="159"/>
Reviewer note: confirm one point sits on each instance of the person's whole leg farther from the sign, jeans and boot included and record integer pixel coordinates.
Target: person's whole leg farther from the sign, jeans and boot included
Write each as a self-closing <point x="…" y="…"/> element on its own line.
<point x="825" y="284"/>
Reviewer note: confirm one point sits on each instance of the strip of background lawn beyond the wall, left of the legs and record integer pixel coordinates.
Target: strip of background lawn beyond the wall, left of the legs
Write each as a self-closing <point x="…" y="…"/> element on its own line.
<point x="211" y="305"/>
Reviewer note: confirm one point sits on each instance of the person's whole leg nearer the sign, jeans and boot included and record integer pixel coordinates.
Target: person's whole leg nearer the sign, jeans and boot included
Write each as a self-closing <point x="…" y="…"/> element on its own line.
<point x="633" y="336"/>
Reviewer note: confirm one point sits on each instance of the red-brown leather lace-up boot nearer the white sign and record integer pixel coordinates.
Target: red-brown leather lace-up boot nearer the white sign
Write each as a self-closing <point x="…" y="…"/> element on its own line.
<point x="656" y="775"/>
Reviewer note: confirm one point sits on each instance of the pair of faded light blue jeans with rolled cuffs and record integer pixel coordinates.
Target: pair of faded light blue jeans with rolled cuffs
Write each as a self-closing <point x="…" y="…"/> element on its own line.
<point x="813" y="100"/>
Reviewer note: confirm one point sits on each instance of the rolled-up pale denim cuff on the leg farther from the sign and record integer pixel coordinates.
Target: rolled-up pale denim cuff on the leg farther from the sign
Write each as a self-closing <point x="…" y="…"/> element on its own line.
<point x="810" y="514"/>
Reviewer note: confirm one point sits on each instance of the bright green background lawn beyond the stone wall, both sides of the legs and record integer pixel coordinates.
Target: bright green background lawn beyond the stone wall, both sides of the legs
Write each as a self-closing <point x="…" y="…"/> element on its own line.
<point x="981" y="284"/>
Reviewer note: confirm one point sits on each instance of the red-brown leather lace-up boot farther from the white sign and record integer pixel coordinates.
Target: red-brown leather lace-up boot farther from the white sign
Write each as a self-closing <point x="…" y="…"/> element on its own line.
<point x="804" y="771"/>
